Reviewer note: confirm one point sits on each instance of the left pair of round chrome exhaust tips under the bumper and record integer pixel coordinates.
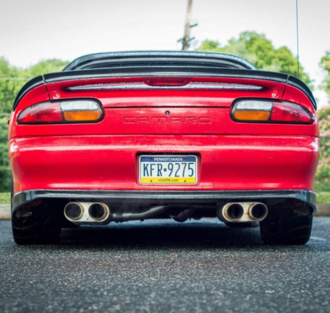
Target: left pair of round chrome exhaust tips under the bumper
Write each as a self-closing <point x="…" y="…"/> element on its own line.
<point x="85" y="212"/>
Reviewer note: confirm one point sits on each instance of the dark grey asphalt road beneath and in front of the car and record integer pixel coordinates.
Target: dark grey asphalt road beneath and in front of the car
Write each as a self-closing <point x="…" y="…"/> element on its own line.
<point x="158" y="266"/>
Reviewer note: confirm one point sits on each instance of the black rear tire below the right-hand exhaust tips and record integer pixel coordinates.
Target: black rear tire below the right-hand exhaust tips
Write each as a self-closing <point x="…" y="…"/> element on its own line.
<point x="286" y="227"/>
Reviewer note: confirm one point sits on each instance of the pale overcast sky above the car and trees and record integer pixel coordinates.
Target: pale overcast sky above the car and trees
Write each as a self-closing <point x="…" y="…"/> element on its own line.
<point x="35" y="30"/>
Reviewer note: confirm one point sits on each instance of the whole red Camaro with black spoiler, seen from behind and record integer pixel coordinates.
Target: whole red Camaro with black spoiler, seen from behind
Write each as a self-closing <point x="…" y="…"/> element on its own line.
<point x="139" y="135"/>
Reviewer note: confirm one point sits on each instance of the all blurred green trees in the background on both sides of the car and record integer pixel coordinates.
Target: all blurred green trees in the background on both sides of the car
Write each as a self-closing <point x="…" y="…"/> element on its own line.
<point x="254" y="47"/>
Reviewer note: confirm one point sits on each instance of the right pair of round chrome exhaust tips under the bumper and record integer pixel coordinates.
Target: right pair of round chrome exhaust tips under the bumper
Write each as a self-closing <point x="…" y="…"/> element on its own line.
<point x="243" y="212"/>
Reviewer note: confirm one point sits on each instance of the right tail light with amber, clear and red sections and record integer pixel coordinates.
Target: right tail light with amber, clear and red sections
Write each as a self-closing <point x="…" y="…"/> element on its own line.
<point x="270" y="112"/>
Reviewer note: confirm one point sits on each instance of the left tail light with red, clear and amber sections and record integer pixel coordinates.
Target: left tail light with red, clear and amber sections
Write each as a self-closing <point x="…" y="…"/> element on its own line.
<point x="66" y="111"/>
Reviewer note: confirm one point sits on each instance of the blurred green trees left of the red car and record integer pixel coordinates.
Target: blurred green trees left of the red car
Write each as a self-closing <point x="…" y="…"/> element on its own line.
<point x="12" y="80"/>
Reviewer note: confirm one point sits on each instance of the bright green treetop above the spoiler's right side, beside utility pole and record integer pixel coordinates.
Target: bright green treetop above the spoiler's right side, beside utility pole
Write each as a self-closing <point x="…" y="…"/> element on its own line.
<point x="260" y="52"/>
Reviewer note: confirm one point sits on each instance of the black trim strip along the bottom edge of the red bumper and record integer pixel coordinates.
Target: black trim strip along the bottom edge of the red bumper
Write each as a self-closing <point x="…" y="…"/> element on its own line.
<point x="161" y="197"/>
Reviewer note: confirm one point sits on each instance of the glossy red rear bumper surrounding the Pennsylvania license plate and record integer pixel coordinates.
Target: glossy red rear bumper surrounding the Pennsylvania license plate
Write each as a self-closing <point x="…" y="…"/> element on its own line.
<point x="226" y="163"/>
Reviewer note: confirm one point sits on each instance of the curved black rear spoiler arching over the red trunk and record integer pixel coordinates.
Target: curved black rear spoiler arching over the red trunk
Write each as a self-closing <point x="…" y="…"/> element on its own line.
<point x="134" y="69"/>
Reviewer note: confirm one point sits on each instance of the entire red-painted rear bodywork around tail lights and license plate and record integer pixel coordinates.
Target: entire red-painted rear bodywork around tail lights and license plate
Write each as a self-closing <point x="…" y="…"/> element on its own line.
<point x="103" y="155"/>
